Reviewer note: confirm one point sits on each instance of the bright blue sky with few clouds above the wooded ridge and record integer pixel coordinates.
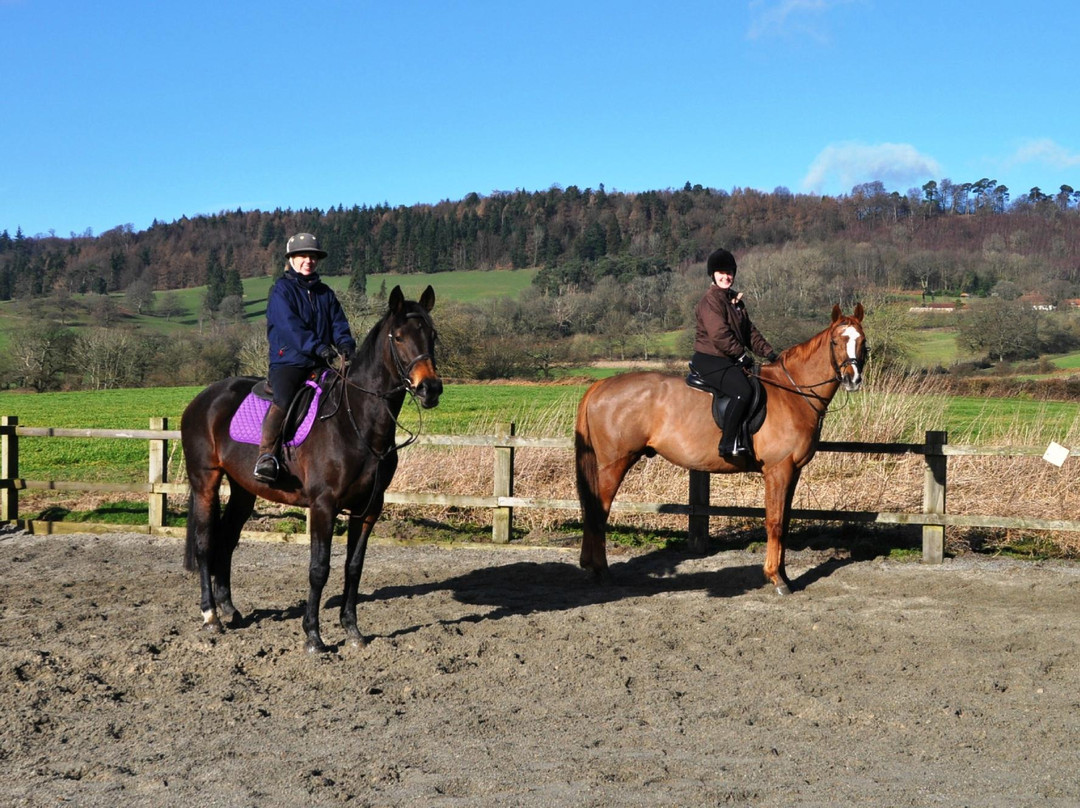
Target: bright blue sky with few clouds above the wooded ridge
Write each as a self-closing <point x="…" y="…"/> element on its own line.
<point x="120" y="113"/>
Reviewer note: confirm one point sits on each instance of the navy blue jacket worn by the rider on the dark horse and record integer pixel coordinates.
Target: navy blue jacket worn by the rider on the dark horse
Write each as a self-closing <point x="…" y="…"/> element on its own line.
<point x="303" y="316"/>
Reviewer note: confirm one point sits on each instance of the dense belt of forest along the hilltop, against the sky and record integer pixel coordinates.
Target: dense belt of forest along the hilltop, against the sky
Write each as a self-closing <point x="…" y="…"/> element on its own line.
<point x="946" y="236"/>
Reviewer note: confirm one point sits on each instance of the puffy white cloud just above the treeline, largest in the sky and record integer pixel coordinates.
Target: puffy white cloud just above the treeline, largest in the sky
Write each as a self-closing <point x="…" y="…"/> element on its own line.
<point x="842" y="167"/>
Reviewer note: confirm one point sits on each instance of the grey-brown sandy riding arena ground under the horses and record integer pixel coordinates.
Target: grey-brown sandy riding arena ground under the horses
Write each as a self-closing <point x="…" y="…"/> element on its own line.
<point x="507" y="678"/>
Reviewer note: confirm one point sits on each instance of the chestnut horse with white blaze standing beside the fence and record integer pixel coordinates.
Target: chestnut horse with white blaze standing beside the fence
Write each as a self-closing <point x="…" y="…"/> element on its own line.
<point x="627" y="418"/>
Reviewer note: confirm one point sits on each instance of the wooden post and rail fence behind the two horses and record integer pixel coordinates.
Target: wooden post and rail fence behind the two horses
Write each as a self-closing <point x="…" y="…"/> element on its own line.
<point x="934" y="518"/>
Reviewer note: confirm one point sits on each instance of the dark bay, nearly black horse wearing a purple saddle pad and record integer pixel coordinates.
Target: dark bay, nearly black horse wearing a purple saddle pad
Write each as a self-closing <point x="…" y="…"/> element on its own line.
<point x="345" y="465"/>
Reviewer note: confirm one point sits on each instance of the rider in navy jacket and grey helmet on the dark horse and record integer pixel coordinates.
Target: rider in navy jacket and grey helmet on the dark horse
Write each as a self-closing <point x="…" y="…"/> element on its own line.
<point x="306" y="327"/>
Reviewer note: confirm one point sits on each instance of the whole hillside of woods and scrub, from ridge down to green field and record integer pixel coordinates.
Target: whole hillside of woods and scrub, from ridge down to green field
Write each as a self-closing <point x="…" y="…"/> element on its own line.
<point x="616" y="277"/>
